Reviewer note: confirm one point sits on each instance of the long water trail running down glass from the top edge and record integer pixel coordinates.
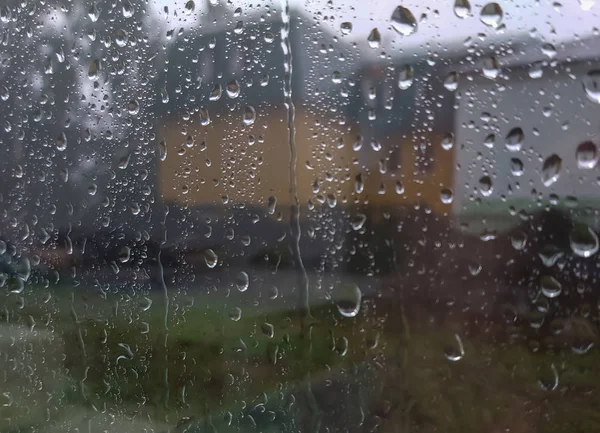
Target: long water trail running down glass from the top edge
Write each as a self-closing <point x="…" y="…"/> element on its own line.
<point x="304" y="301"/>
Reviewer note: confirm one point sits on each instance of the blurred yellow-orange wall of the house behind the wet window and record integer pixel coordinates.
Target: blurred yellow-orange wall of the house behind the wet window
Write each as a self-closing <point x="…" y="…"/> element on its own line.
<point x="251" y="173"/>
